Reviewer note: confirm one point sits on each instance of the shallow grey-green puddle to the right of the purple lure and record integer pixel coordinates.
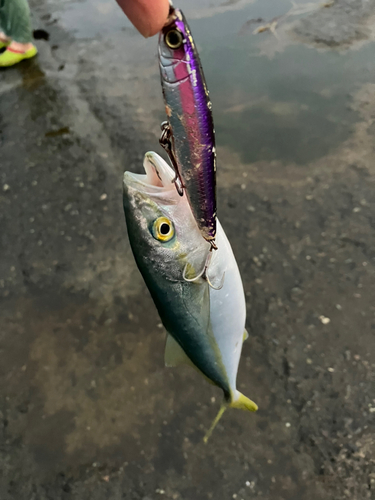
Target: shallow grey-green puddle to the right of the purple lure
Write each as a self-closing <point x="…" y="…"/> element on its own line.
<point x="293" y="107"/>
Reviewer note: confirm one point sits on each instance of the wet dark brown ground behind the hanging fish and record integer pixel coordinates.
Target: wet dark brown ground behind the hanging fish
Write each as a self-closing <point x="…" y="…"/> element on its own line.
<point x="87" y="409"/>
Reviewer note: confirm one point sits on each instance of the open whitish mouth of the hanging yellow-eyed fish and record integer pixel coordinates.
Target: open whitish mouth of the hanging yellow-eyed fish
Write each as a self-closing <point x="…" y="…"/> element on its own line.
<point x="158" y="175"/>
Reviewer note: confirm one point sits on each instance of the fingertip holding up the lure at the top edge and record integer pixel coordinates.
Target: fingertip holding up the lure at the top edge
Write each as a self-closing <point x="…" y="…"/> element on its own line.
<point x="148" y="16"/>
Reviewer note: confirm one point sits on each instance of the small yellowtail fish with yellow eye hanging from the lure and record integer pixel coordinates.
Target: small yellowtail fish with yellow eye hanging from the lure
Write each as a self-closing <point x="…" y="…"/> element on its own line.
<point x="206" y="326"/>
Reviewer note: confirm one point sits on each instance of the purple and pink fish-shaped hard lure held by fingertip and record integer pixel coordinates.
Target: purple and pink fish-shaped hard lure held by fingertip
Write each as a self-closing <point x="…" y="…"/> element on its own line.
<point x="188" y="135"/>
